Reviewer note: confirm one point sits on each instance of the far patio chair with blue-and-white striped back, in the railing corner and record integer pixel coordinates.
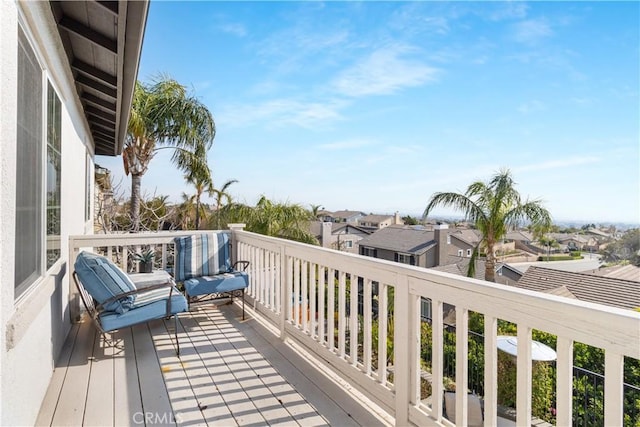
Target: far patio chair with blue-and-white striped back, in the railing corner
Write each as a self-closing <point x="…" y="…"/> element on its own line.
<point x="203" y="266"/>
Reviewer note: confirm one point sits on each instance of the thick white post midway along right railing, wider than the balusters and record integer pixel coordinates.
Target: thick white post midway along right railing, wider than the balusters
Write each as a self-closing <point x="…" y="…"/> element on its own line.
<point x="401" y="359"/>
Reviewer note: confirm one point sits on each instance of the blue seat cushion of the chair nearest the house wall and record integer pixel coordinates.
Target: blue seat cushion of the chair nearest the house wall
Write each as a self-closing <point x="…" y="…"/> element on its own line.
<point x="148" y="306"/>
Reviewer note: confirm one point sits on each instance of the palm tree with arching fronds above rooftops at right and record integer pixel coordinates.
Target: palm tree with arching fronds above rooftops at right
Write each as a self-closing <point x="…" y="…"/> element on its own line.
<point x="495" y="208"/>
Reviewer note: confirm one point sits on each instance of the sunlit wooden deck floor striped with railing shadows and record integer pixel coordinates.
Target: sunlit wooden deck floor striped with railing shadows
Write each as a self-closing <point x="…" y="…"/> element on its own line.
<point x="229" y="373"/>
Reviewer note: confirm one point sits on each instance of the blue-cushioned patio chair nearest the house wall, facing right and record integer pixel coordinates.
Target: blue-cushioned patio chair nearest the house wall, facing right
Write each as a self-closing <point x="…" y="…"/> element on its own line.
<point x="113" y="302"/>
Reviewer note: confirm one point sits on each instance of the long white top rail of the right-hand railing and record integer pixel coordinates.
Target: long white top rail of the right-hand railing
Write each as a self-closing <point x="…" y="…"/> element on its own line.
<point x="599" y="325"/>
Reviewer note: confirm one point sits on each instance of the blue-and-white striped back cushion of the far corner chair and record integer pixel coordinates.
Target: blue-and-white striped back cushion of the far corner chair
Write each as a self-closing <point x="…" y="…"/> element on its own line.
<point x="202" y="255"/>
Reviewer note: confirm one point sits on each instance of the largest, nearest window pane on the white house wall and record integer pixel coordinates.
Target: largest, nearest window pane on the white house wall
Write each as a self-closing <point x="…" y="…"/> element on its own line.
<point x="29" y="159"/>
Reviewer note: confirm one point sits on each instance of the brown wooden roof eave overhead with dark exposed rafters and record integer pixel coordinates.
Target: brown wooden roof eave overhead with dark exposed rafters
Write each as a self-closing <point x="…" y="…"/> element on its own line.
<point x="103" y="41"/>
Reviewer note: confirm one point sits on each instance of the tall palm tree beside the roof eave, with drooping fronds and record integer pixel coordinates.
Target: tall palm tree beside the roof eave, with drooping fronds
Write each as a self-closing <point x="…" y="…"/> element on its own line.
<point x="164" y="116"/>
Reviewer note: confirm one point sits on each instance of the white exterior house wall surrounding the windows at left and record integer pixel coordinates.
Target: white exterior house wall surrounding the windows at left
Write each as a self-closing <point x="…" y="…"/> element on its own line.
<point x="33" y="327"/>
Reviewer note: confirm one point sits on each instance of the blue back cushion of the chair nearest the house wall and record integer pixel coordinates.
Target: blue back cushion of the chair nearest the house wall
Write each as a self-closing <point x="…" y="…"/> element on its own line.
<point x="104" y="280"/>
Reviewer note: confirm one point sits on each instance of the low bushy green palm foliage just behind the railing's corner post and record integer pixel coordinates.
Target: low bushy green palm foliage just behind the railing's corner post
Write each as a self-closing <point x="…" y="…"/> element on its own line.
<point x="285" y="220"/>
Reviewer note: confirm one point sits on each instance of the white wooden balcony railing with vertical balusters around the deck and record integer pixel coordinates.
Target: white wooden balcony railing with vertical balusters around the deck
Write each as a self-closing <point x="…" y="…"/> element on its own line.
<point x="290" y="286"/>
